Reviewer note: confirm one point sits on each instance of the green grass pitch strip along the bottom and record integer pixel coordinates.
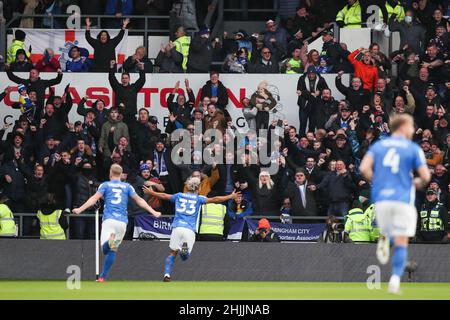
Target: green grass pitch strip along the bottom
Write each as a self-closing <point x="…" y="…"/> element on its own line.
<point x="192" y="290"/>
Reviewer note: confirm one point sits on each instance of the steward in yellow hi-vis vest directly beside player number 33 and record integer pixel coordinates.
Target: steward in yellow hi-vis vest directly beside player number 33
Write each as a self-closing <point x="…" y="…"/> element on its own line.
<point x="214" y="222"/>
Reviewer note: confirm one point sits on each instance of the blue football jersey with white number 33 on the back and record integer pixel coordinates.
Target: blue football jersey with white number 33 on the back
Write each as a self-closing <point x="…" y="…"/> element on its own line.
<point x="187" y="210"/>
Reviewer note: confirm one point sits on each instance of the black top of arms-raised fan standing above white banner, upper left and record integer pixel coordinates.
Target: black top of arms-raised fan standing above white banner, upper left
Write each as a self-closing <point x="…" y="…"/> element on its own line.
<point x="103" y="52"/>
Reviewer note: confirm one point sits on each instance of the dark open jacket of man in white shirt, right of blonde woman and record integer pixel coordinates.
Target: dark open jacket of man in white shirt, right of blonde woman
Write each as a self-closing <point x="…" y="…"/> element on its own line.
<point x="298" y="208"/>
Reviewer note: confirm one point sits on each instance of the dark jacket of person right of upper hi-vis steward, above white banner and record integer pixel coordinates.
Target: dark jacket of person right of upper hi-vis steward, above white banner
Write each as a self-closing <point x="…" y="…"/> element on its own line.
<point x="200" y="55"/>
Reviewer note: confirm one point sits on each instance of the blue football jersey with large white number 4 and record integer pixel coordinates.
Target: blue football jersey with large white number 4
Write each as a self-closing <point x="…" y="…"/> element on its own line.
<point x="395" y="159"/>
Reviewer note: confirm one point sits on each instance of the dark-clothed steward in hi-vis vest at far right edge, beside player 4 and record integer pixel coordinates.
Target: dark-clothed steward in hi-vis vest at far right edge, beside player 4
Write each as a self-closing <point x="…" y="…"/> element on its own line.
<point x="433" y="219"/>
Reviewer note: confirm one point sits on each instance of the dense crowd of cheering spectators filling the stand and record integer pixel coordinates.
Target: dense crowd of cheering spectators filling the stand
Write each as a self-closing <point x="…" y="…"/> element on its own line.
<point x="318" y="160"/>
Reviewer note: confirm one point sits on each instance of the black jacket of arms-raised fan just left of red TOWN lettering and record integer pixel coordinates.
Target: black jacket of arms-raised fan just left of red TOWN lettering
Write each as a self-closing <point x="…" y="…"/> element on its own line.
<point x="127" y="95"/>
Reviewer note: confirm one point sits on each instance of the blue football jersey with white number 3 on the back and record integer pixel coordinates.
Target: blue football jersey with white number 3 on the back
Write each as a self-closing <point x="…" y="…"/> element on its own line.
<point x="116" y="193"/>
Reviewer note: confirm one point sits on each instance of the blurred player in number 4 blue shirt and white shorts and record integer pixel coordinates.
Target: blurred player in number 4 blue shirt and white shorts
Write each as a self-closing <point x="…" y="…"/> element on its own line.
<point x="390" y="165"/>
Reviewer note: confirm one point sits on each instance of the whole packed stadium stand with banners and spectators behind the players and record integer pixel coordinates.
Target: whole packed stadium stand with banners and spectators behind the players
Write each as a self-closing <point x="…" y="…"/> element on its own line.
<point x="278" y="65"/>
